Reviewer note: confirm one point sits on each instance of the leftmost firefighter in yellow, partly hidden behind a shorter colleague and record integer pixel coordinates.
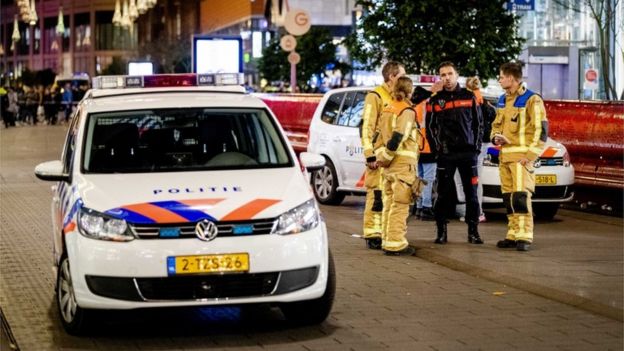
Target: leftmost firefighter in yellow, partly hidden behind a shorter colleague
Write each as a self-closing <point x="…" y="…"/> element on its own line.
<point x="374" y="103"/>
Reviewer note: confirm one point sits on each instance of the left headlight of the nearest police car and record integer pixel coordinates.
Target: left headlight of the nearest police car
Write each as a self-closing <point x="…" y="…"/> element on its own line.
<point x="96" y="225"/>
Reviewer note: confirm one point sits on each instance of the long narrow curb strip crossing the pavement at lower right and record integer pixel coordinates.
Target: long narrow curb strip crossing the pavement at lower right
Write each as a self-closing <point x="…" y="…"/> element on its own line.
<point x="536" y="289"/>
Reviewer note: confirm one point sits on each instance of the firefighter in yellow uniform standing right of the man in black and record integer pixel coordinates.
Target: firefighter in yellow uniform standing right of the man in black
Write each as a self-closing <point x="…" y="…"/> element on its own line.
<point x="521" y="129"/>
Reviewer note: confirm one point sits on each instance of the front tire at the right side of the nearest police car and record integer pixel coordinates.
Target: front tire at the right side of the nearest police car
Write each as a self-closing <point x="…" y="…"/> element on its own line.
<point x="313" y="311"/>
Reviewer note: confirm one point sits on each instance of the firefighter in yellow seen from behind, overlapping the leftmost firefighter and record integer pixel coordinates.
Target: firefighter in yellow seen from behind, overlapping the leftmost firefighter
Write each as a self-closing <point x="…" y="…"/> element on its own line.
<point x="399" y="156"/>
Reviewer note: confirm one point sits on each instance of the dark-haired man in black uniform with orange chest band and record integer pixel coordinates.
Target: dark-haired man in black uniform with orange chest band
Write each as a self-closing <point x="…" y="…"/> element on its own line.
<point x="455" y="131"/>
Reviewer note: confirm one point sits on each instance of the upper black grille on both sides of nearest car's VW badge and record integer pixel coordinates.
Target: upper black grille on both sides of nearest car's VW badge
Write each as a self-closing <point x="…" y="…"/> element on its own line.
<point x="187" y="230"/>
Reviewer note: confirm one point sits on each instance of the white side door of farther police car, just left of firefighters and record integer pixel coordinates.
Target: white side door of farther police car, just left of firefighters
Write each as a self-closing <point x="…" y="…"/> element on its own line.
<point x="349" y="141"/>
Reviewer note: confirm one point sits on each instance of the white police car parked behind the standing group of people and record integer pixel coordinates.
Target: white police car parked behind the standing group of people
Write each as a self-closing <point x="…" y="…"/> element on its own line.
<point x="335" y="134"/>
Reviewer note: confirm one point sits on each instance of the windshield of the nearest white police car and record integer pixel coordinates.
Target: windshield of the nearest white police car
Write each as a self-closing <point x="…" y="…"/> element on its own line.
<point x="182" y="139"/>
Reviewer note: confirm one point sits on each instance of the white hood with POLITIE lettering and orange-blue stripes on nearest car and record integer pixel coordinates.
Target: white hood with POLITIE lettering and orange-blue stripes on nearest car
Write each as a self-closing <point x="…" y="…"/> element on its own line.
<point x="191" y="196"/>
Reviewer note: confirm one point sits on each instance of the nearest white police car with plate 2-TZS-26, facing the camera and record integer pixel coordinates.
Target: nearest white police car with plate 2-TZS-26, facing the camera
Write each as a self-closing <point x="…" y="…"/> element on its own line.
<point x="182" y="190"/>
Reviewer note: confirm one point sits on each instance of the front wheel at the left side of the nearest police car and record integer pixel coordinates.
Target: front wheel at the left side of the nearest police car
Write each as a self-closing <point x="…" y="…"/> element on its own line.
<point x="75" y="319"/>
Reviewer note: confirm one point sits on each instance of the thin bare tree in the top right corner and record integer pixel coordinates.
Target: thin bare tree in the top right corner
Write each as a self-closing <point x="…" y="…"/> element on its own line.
<point x="603" y="12"/>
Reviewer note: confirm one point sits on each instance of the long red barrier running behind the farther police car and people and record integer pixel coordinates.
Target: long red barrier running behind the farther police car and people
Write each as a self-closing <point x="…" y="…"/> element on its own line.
<point x="591" y="131"/>
